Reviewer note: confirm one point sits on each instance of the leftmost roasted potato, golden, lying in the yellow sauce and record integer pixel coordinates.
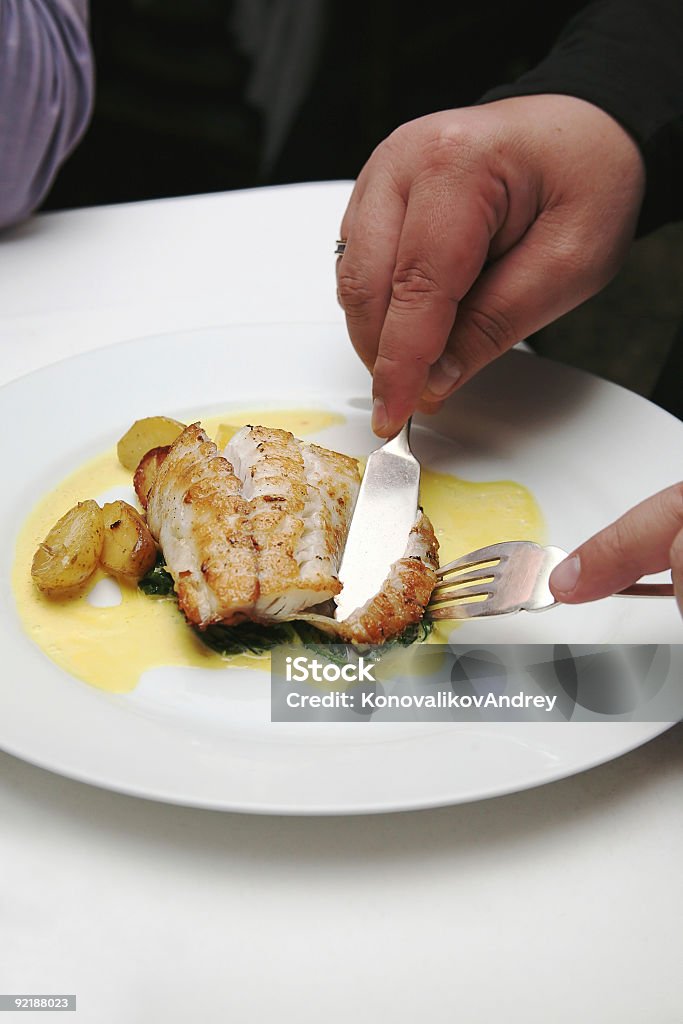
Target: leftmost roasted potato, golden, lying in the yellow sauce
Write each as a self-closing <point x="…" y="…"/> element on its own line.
<point x="70" y="553"/>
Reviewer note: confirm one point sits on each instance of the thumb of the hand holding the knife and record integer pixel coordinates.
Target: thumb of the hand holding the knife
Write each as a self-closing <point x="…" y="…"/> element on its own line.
<point x="544" y="276"/>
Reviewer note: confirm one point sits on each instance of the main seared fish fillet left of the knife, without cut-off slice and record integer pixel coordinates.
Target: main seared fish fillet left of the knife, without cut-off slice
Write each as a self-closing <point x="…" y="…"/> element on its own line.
<point x="258" y="535"/>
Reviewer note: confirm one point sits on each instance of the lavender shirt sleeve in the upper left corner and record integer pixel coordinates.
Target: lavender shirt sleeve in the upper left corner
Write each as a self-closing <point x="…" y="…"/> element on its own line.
<point x="47" y="92"/>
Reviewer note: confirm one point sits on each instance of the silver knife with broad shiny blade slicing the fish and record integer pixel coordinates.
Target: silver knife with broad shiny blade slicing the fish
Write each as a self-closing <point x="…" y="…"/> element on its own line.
<point x="385" y="515"/>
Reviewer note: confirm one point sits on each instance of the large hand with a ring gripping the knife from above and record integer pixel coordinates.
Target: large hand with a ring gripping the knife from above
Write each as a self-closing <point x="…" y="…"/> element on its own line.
<point x="469" y="230"/>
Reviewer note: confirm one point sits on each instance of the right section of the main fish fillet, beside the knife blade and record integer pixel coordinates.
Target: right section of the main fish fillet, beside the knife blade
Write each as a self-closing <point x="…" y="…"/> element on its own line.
<point x="302" y="499"/>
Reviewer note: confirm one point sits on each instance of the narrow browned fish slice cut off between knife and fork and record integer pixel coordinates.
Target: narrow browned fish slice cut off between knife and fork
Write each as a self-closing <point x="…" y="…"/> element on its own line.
<point x="402" y="600"/>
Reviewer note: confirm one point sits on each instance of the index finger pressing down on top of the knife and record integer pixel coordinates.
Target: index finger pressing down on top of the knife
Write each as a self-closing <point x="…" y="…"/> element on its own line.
<point x="443" y="247"/>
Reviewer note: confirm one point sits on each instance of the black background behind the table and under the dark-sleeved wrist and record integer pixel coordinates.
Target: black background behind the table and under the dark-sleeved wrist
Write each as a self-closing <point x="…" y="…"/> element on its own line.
<point x="172" y="119"/>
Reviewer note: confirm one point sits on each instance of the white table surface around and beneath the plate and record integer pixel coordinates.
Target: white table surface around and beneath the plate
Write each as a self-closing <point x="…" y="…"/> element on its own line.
<point x="560" y="905"/>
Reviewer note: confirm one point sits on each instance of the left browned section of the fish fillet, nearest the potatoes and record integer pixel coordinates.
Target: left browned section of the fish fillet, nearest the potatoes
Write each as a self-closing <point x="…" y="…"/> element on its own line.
<point x="199" y="518"/>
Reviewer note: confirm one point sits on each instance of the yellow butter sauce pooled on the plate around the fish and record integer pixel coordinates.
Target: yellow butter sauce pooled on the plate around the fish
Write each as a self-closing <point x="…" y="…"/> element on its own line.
<point x="112" y="648"/>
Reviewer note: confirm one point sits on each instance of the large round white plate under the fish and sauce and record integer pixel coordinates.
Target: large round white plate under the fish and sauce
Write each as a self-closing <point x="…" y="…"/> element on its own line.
<point x="588" y="450"/>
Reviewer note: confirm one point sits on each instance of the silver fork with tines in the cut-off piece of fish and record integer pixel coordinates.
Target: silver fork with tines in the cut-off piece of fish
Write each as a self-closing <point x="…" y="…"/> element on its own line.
<point x="508" y="577"/>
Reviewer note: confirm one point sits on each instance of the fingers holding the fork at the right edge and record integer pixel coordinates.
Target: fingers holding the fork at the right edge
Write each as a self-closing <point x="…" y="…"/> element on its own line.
<point x="649" y="539"/>
